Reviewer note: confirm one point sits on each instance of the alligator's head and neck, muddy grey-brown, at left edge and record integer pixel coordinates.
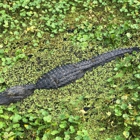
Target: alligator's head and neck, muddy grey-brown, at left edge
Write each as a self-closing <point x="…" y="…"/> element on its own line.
<point x="16" y="93"/>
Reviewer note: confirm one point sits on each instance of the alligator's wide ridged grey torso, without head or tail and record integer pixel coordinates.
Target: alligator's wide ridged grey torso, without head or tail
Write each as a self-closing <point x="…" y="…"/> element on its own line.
<point x="59" y="77"/>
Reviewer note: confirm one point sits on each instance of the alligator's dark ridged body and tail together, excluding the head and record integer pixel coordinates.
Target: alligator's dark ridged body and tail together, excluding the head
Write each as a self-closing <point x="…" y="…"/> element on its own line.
<point x="63" y="75"/>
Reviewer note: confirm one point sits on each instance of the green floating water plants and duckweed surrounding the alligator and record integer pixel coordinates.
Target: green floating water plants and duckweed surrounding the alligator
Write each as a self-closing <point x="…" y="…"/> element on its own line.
<point x="37" y="36"/>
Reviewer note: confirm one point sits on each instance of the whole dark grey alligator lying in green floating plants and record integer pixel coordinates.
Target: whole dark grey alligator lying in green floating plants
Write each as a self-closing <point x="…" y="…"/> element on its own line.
<point x="61" y="76"/>
